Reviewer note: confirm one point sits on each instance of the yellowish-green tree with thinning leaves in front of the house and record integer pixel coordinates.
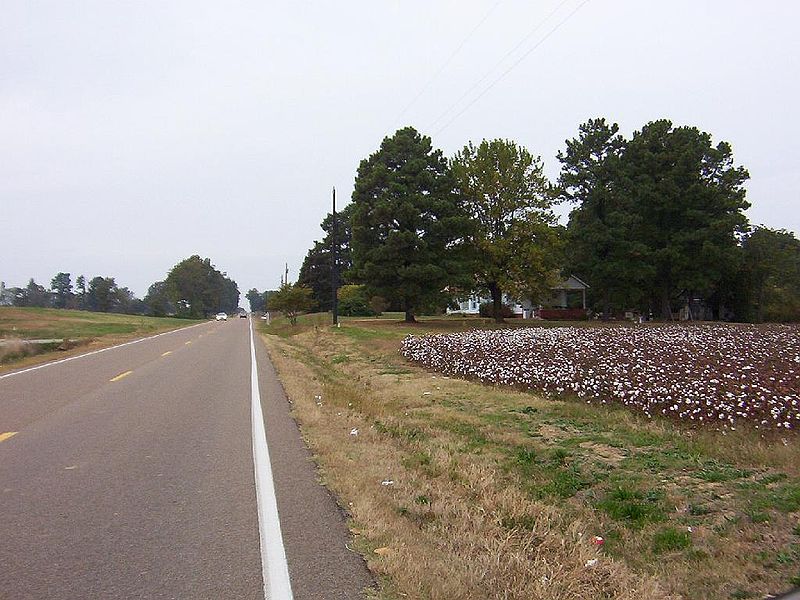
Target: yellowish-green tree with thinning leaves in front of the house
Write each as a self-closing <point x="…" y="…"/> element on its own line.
<point x="509" y="200"/>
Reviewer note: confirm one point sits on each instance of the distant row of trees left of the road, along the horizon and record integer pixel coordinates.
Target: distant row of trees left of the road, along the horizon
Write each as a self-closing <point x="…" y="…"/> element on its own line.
<point x="193" y="288"/>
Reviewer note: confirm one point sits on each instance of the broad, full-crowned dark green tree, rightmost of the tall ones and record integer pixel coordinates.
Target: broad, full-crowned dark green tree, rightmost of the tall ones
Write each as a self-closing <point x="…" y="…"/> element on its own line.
<point x="690" y="199"/>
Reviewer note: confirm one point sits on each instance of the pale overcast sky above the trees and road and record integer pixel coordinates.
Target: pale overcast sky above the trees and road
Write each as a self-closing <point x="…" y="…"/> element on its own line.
<point x="136" y="133"/>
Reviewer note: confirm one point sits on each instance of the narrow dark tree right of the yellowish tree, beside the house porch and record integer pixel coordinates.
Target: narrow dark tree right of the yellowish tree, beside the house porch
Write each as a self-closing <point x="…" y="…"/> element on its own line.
<point x="600" y="245"/>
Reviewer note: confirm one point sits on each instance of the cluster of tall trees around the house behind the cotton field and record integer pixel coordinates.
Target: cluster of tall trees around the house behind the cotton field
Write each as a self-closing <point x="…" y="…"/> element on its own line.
<point x="657" y="227"/>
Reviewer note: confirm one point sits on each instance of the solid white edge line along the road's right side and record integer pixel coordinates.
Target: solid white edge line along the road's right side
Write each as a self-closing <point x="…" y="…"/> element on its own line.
<point x="274" y="568"/>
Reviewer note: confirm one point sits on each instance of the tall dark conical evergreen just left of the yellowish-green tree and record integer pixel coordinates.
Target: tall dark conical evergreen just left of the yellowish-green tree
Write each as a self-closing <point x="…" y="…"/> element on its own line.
<point x="408" y="231"/>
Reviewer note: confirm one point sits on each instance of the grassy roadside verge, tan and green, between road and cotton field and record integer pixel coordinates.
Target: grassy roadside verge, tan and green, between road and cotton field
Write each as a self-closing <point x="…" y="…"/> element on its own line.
<point x="497" y="492"/>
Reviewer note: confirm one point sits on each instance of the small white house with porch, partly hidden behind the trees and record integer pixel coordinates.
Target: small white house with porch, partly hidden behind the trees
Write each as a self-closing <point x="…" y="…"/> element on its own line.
<point x="568" y="301"/>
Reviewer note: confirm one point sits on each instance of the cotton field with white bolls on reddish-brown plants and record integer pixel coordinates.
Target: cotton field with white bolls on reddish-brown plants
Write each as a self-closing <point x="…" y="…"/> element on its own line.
<point x="714" y="374"/>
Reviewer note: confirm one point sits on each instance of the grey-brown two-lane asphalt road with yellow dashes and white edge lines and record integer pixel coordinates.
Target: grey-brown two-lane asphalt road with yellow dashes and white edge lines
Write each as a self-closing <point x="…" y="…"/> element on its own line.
<point x="129" y="473"/>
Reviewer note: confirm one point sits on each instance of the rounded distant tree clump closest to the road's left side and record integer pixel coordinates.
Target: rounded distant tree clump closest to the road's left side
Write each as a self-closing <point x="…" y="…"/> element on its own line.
<point x="196" y="289"/>
